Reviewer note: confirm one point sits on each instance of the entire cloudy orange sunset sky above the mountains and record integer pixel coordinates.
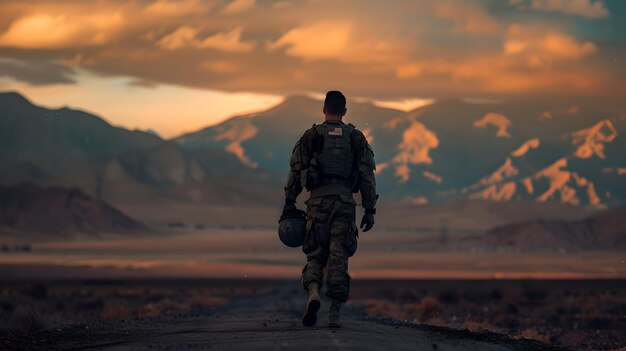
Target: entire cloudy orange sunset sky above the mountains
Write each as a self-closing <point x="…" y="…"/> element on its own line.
<point x="177" y="66"/>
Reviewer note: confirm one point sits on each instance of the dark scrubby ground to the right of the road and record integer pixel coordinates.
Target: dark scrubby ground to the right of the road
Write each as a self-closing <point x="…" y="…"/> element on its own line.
<point x="584" y="315"/>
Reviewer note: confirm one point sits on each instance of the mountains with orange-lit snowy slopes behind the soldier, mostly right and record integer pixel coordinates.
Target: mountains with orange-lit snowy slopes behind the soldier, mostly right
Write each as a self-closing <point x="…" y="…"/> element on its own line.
<point x="542" y="150"/>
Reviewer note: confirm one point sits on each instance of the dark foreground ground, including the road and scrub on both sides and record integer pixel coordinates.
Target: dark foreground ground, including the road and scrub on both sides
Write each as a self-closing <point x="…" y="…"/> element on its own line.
<point x="265" y="315"/>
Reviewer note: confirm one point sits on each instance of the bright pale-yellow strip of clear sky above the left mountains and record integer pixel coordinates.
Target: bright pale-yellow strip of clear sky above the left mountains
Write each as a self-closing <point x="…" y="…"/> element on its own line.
<point x="170" y="110"/>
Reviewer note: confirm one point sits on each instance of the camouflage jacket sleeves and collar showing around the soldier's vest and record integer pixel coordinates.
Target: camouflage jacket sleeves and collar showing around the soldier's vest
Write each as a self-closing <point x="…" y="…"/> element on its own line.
<point x="364" y="160"/>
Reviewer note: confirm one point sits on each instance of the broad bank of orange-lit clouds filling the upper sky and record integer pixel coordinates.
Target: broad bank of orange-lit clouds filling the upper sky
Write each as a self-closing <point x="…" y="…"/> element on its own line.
<point x="377" y="50"/>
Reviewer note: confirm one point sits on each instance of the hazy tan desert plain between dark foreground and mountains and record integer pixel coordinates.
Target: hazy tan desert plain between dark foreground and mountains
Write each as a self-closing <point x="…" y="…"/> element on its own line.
<point x="257" y="253"/>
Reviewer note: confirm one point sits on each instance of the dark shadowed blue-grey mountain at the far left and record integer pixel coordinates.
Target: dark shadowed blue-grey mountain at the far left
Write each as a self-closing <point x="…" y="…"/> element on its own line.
<point x="71" y="148"/>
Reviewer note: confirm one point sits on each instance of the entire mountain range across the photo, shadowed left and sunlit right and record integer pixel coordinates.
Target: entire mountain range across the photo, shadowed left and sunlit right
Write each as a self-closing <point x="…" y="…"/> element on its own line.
<point x="567" y="151"/>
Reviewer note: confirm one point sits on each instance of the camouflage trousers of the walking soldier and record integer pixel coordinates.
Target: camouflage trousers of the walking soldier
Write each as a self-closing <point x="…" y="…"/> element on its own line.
<point x="330" y="240"/>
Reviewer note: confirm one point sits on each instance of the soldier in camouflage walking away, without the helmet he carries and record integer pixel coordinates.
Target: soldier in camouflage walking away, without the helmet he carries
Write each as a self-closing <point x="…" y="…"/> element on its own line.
<point x="332" y="160"/>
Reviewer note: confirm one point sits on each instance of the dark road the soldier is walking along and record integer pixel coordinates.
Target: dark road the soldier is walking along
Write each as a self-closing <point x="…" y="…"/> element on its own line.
<point x="263" y="322"/>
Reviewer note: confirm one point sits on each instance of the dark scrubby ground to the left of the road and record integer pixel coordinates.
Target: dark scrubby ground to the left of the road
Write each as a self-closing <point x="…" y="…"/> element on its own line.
<point x="30" y="307"/>
